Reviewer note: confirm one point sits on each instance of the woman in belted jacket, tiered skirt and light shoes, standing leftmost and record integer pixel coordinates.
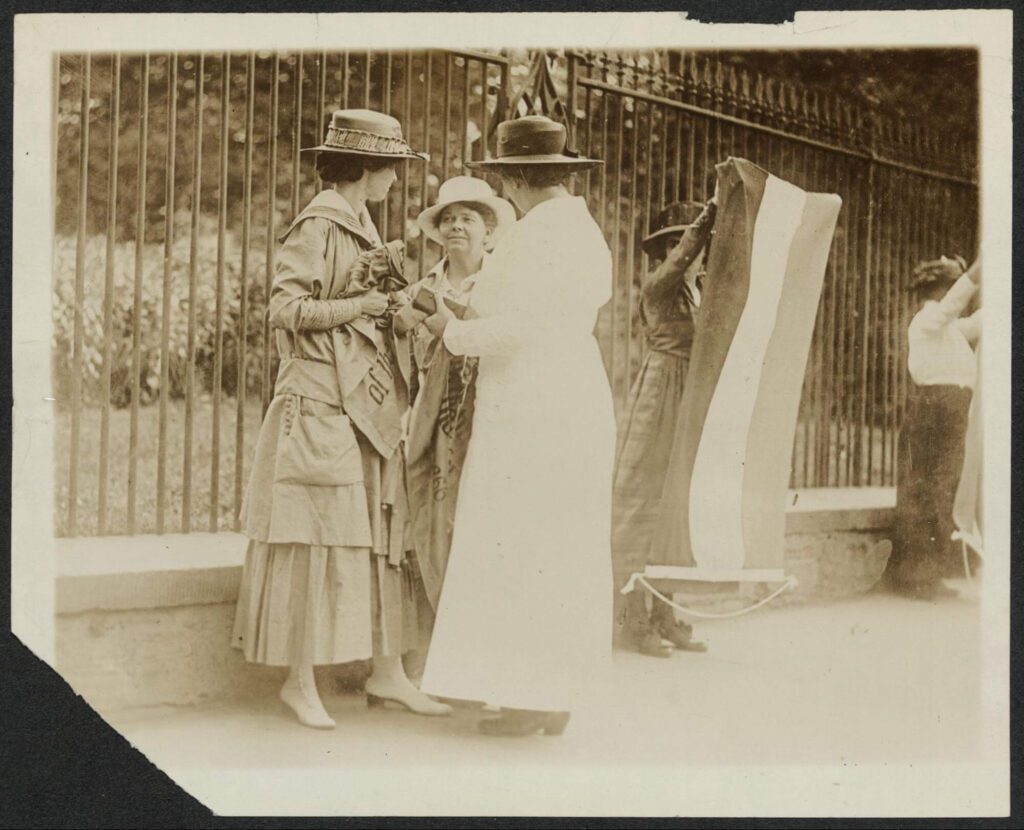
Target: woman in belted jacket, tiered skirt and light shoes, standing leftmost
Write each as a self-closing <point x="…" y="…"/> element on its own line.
<point x="325" y="580"/>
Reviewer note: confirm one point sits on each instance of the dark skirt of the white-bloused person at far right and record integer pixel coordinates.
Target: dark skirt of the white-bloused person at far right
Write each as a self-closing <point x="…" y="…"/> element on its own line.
<point x="930" y="459"/>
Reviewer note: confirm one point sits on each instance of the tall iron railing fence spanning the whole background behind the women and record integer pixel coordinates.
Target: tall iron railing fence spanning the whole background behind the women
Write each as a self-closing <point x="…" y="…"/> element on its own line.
<point x="175" y="173"/>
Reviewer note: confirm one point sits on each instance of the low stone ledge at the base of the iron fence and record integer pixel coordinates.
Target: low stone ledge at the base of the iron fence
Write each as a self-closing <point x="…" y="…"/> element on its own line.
<point x="147" y="621"/>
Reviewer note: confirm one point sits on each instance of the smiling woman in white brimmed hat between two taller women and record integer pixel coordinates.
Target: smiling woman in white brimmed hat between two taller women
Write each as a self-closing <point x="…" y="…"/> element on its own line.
<point x="466" y="222"/>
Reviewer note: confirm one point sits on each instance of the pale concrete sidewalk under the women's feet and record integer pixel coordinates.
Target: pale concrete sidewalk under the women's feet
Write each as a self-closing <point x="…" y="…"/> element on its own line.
<point x="874" y="681"/>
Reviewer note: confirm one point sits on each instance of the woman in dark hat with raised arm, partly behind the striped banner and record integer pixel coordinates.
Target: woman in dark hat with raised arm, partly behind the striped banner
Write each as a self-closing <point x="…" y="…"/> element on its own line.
<point x="669" y="304"/>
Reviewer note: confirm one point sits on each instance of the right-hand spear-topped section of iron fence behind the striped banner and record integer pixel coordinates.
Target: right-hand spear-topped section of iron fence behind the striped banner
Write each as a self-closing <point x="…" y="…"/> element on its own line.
<point x="908" y="197"/>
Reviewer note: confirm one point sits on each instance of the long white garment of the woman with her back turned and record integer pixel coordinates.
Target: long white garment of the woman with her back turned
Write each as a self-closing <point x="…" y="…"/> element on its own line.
<point x="525" y="619"/>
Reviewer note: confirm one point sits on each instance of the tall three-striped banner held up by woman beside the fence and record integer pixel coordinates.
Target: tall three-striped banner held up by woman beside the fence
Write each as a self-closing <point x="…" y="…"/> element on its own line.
<point x="723" y="510"/>
